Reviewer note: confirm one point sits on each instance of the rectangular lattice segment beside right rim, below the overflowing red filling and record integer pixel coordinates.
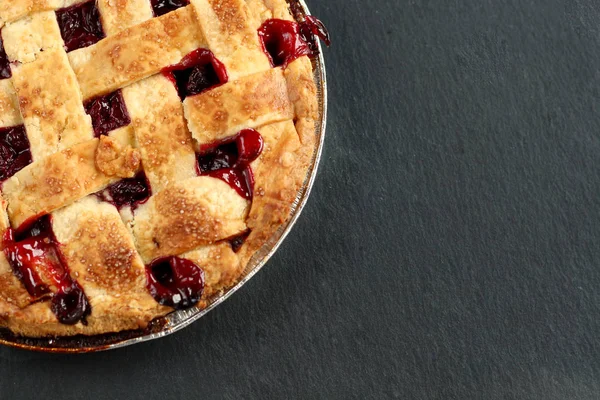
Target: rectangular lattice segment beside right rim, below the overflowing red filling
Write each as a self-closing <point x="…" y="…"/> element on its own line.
<point x="248" y="102"/>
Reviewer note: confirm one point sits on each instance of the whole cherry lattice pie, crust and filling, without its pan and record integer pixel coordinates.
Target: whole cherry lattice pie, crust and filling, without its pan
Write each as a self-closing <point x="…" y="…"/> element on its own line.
<point x="148" y="148"/>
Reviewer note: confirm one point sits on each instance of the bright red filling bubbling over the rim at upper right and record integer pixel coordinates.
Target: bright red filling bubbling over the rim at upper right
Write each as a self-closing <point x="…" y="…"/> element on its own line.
<point x="285" y="41"/>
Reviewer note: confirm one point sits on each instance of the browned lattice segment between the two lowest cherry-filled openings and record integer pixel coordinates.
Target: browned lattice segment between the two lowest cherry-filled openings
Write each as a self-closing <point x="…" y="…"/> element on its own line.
<point x="102" y="258"/>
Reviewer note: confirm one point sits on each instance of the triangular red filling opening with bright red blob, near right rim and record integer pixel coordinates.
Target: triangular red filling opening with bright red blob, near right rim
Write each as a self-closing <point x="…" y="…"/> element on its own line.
<point x="230" y="160"/>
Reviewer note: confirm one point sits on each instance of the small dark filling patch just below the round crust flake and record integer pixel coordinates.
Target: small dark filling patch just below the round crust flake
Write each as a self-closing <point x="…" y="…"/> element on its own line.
<point x="128" y="192"/>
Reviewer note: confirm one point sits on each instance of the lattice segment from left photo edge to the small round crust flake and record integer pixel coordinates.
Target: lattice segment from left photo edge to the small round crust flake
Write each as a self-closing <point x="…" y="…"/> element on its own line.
<point x="56" y="181"/>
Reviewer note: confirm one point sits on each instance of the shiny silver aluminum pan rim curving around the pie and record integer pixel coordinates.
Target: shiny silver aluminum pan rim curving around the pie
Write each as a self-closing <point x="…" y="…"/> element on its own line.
<point x="178" y="320"/>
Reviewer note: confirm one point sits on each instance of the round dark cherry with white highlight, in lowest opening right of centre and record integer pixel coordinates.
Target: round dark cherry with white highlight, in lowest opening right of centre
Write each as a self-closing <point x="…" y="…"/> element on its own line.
<point x="175" y="282"/>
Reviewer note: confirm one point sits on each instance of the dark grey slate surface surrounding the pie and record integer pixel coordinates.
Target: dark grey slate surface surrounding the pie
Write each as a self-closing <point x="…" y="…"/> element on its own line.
<point x="450" y="249"/>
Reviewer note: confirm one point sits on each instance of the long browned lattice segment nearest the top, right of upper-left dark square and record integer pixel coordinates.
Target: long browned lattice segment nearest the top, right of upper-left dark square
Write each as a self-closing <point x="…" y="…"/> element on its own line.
<point x="136" y="52"/>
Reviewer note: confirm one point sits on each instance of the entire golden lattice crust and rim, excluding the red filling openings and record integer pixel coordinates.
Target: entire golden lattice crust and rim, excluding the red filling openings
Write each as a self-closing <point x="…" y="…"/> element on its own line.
<point x="187" y="215"/>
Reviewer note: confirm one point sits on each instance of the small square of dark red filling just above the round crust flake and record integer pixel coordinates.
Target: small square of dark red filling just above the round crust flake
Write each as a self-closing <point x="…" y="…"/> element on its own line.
<point x="108" y="113"/>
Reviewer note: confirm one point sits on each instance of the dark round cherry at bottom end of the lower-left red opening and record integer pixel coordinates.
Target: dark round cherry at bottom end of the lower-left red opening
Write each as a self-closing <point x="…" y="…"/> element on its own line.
<point x="70" y="305"/>
